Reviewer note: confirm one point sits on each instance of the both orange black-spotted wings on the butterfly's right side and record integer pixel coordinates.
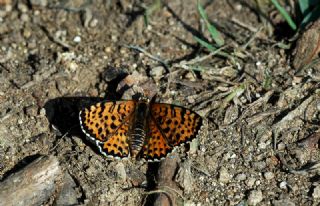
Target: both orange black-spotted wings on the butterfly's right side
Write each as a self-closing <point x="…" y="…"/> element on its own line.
<point x="169" y="126"/>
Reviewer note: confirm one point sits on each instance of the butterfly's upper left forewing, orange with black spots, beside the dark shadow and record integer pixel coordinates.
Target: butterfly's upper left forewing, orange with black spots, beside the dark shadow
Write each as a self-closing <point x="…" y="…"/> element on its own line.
<point x="100" y="121"/>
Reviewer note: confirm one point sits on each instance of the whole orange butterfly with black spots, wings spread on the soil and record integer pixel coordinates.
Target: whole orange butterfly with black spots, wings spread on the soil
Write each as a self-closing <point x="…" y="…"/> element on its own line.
<point x="138" y="128"/>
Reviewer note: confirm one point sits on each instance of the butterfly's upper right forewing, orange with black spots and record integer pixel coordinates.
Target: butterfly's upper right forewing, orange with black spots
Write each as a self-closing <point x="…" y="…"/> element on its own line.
<point x="178" y="124"/>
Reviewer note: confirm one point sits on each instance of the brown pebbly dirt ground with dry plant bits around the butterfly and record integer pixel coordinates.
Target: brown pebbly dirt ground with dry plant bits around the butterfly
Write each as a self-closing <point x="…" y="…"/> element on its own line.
<point x="260" y="143"/>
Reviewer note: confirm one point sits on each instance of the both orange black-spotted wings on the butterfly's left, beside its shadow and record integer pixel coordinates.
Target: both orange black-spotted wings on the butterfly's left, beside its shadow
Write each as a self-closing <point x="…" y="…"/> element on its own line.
<point x="107" y="123"/>
